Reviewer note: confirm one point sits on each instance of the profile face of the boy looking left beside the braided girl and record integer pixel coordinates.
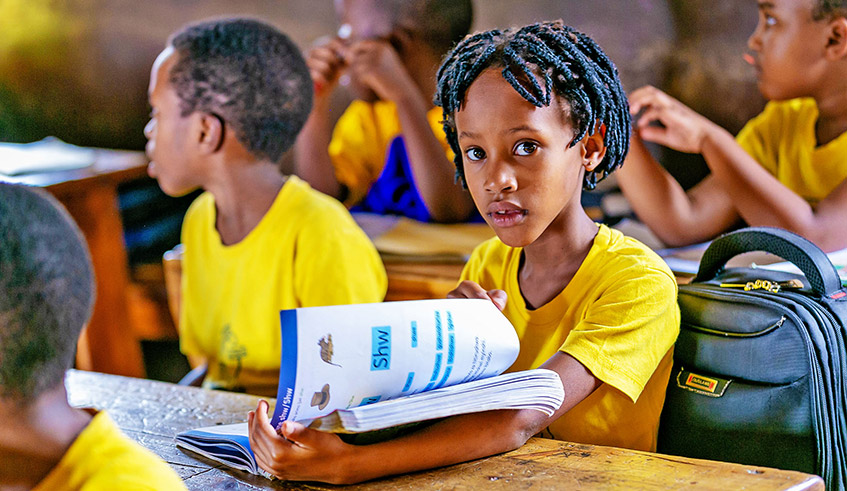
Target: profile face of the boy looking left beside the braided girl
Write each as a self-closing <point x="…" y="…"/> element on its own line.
<point x="168" y="132"/>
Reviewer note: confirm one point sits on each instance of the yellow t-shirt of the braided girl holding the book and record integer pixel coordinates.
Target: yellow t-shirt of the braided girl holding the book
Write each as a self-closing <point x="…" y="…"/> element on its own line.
<point x="618" y="316"/>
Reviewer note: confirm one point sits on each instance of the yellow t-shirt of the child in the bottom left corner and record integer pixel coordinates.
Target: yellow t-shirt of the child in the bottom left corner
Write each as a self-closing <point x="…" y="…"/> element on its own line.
<point x="103" y="458"/>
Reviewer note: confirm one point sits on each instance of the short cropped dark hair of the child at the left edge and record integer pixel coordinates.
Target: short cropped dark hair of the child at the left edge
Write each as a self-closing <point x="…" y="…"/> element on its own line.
<point x="46" y="291"/>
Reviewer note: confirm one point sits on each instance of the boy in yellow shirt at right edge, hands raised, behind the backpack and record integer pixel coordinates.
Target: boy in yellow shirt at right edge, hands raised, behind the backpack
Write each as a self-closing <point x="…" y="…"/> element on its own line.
<point x="786" y="168"/>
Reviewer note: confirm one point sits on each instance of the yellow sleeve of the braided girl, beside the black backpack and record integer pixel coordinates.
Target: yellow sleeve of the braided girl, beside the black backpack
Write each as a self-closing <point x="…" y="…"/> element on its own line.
<point x="628" y="330"/>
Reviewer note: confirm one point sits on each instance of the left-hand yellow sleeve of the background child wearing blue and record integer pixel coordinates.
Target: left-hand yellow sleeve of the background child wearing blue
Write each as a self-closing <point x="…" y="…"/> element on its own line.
<point x="357" y="150"/>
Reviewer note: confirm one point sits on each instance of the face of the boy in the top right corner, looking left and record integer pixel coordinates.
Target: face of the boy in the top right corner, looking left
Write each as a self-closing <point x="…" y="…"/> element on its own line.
<point x="788" y="44"/>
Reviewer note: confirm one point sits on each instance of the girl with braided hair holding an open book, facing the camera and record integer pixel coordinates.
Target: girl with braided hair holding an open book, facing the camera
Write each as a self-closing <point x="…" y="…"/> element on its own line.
<point x="534" y="115"/>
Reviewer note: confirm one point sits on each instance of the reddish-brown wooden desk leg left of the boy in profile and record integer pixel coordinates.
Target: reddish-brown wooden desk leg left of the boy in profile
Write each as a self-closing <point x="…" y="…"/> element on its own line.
<point x="108" y="344"/>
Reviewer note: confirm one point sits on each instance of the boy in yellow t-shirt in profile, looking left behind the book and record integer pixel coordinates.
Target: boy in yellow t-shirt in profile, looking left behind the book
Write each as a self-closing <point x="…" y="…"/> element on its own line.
<point x="228" y="98"/>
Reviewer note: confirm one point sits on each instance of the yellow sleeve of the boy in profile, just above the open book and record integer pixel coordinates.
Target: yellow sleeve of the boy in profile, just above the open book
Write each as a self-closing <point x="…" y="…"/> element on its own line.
<point x="337" y="264"/>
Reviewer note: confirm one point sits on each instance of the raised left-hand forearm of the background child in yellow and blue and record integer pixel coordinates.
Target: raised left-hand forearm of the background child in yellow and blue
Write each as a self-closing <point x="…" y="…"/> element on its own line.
<point x="311" y="156"/>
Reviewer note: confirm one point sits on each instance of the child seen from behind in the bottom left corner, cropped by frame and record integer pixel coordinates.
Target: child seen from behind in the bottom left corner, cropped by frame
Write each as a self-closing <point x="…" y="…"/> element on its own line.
<point x="46" y="296"/>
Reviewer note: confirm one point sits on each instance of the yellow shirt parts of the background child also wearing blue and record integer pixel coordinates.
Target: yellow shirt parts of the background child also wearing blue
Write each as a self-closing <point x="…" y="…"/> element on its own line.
<point x="360" y="141"/>
